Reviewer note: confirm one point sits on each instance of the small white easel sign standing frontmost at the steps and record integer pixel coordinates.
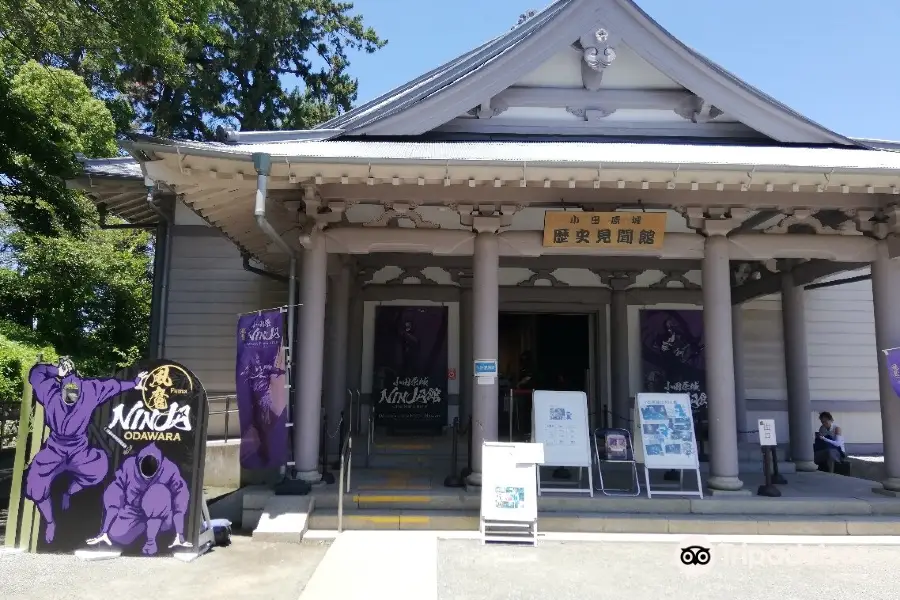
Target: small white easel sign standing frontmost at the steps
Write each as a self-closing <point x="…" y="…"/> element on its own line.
<point x="509" y="492"/>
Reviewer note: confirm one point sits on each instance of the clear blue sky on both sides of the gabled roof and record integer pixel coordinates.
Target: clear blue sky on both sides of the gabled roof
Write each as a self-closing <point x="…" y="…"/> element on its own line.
<point x="832" y="60"/>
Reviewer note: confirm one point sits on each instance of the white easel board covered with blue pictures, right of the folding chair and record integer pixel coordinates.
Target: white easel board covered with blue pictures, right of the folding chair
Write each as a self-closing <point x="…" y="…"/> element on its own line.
<point x="665" y="431"/>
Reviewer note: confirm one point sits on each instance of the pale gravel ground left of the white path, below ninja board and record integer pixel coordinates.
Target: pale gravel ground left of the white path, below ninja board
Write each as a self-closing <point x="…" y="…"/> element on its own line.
<point x="245" y="570"/>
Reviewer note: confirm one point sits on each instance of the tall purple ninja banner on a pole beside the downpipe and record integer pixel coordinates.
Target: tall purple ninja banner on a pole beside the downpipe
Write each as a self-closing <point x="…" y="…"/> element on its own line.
<point x="261" y="390"/>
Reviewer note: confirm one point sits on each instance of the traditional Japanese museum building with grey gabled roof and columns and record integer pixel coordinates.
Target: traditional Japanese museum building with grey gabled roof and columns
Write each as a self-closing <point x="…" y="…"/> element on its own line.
<point x="555" y="190"/>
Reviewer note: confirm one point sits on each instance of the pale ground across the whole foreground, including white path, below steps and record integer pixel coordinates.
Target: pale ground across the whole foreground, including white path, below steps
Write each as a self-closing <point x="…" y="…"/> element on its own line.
<point x="419" y="565"/>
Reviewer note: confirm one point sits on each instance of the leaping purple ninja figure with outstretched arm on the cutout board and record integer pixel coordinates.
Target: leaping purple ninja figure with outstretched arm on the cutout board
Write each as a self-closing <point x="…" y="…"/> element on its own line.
<point x="69" y="402"/>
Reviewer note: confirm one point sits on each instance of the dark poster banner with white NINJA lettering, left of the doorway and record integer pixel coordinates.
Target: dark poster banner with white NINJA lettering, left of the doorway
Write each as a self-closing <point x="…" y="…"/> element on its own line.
<point x="410" y="379"/>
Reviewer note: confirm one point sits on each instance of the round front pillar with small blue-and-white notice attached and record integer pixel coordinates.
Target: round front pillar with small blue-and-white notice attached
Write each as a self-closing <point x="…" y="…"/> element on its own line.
<point x="485" y="343"/>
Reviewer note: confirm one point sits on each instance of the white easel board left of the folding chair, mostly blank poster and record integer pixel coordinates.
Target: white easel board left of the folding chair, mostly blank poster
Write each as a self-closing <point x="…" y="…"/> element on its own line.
<point x="559" y="421"/>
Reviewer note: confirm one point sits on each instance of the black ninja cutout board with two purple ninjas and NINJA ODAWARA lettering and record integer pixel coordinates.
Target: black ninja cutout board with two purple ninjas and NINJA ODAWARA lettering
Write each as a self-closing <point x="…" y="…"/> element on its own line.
<point x="120" y="463"/>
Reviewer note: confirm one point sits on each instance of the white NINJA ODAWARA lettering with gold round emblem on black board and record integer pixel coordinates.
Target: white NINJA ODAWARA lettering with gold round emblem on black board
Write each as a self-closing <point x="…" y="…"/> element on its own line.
<point x="162" y="413"/>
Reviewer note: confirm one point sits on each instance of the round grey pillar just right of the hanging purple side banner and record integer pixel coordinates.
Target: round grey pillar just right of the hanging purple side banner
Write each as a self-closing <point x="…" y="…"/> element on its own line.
<point x="311" y="345"/>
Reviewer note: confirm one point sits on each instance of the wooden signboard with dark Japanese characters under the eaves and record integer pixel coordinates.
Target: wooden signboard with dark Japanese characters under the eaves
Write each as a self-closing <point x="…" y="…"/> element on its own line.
<point x="639" y="230"/>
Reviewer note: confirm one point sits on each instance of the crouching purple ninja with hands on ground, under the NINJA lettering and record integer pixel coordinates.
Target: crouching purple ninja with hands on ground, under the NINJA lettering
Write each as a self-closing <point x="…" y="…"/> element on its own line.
<point x="147" y="497"/>
